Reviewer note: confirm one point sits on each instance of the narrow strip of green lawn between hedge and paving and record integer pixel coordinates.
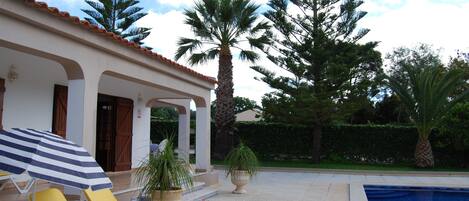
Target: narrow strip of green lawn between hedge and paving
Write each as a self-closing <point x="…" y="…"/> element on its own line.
<point x="349" y="166"/>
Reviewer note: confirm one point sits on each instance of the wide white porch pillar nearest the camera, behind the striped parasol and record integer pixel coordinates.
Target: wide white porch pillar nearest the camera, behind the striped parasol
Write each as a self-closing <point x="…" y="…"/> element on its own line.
<point x="81" y="112"/>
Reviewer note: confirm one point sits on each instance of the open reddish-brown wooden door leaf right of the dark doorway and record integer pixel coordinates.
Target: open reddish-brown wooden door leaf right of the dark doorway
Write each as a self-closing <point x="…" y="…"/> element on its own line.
<point x="123" y="146"/>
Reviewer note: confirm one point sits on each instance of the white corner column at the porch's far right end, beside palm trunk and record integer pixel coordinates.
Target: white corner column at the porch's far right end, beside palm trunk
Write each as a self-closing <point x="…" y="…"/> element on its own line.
<point x="202" y="140"/>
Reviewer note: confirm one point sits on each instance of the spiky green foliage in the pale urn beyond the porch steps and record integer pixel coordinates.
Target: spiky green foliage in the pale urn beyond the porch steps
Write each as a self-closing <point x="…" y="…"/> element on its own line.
<point x="241" y="158"/>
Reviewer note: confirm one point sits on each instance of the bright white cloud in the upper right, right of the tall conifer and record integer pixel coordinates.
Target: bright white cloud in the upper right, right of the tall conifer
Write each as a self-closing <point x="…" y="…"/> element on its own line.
<point x="441" y="25"/>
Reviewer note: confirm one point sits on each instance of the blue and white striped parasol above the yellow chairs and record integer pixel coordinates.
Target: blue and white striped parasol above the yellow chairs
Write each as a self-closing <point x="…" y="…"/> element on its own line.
<point x="47" y="156"/>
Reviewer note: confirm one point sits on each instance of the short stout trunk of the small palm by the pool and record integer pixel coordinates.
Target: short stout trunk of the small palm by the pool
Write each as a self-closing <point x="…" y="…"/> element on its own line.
<point x="424" y="154"/>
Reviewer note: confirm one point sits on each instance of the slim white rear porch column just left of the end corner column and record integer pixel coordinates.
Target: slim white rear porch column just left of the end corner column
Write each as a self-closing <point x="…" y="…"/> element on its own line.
<point x="184" y="135"/>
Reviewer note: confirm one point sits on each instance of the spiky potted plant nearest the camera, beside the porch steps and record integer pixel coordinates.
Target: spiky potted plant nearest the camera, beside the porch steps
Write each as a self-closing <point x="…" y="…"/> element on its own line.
<point x="163" y="176"/>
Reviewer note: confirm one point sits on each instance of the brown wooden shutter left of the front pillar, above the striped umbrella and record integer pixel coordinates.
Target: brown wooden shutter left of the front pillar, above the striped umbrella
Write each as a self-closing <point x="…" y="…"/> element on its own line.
<point x="59" y="119"/>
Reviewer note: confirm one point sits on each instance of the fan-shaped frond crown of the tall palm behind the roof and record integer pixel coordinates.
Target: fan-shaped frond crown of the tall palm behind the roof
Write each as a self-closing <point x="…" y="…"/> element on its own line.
<point x="223" y="23"/>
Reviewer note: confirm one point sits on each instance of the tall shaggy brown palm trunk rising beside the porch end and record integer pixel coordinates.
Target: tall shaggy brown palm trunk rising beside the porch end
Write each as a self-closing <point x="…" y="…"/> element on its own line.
<point x="224" y="115"/>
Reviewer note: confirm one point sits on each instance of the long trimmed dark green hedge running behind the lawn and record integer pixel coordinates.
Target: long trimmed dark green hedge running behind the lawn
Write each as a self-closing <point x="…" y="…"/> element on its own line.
<point x="377" y="144"/>
